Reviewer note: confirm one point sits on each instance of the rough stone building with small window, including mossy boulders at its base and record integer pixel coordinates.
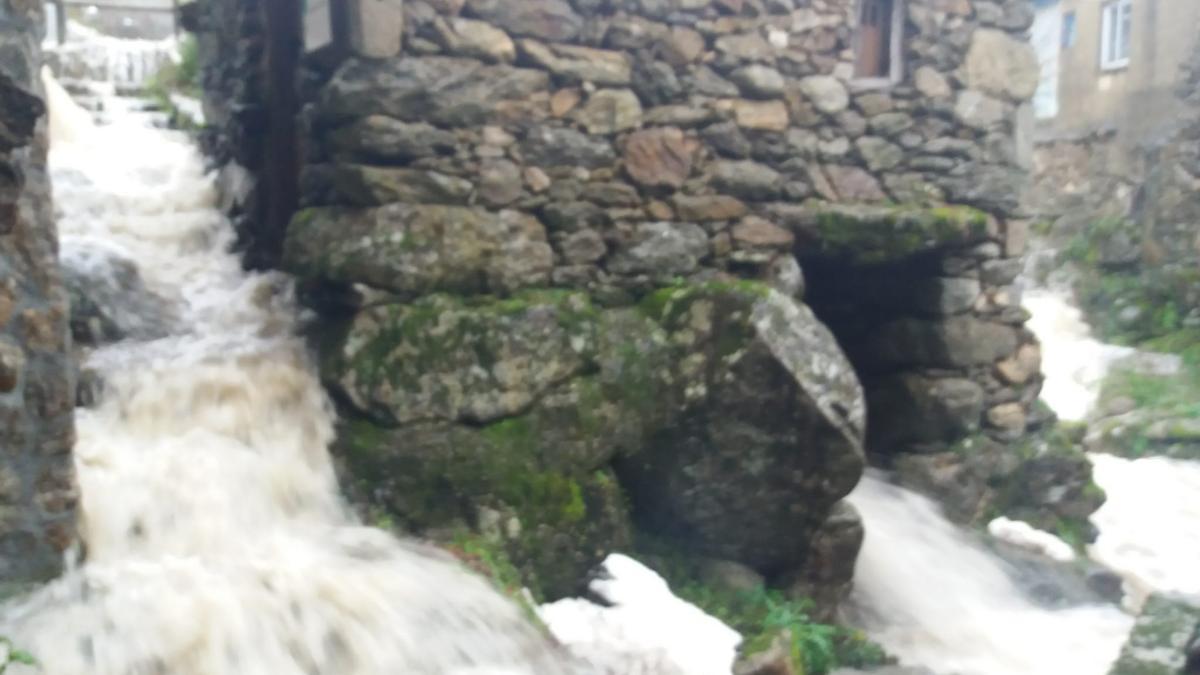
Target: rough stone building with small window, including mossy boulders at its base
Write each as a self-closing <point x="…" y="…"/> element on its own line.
<point x="568" y="255"/>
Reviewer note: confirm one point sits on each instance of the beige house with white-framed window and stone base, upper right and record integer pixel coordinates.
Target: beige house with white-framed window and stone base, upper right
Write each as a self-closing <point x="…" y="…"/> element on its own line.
<point x="1117" y="136"/>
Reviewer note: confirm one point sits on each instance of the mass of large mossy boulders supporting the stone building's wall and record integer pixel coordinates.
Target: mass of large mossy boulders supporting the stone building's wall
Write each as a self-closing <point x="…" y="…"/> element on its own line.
<point x="731" y="417"/>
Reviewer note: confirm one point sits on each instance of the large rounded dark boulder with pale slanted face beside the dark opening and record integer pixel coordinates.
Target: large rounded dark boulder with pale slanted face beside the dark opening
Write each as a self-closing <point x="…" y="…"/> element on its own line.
<point x="769" y="435"/>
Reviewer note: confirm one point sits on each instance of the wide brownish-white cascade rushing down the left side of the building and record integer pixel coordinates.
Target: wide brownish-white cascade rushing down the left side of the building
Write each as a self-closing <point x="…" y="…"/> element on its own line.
<point x="217" y="541"/>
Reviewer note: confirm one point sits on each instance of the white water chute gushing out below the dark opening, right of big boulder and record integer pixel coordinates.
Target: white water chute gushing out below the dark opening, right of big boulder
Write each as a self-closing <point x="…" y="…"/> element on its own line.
<point x="933" y="596"/>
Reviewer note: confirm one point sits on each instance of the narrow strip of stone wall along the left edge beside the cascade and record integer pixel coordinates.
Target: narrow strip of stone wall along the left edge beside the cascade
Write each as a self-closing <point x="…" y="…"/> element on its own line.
<point x="38" y="494"/>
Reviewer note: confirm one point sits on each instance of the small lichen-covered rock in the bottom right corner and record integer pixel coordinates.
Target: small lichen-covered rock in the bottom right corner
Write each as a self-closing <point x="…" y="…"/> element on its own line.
<point x="1166" y="641"/>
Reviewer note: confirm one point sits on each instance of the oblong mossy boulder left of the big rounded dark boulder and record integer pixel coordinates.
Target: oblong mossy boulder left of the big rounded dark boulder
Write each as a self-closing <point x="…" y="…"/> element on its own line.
<point x="448" y="360"/>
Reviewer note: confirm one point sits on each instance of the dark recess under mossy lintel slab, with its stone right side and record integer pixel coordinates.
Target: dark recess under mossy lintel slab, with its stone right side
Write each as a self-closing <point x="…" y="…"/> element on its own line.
<point x="933" y="338"/>
